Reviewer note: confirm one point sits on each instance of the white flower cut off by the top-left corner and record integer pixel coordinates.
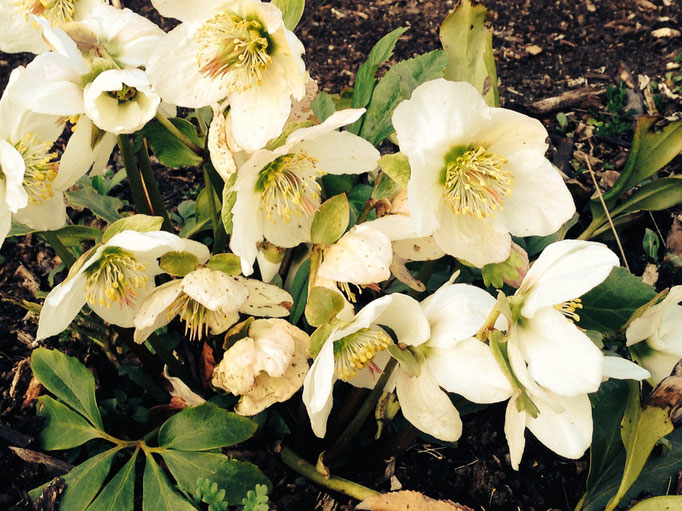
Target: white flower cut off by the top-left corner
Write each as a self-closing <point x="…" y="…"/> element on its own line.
<point x="18" y="33"/>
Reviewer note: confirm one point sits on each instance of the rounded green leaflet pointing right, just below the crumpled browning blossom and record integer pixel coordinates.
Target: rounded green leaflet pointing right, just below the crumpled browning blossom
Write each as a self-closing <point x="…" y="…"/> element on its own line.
<point x="204" y="427"/>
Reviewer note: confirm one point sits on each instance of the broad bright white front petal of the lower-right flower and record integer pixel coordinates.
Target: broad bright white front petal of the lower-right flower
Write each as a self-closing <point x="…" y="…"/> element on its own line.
<point x="560" y="357"/>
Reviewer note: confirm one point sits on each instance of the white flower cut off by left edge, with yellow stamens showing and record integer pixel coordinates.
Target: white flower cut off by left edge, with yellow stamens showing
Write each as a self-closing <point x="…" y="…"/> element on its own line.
<point x="32" y="179"/>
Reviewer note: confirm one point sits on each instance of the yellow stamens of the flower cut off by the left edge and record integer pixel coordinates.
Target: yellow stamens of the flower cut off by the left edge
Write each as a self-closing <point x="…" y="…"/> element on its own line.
<point x="41" y="169"/>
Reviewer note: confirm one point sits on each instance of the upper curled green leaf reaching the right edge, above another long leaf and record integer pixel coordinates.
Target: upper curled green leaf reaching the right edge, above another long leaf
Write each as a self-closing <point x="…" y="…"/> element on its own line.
<point x="651" y="151"/>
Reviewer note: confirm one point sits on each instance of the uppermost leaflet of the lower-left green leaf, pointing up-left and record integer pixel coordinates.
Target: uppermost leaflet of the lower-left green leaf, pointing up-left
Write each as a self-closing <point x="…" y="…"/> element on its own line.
<point x="69" y="380"/>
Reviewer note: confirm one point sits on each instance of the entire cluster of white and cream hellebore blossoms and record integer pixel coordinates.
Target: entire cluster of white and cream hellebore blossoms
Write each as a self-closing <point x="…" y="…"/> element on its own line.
<point x="478" y="177"/>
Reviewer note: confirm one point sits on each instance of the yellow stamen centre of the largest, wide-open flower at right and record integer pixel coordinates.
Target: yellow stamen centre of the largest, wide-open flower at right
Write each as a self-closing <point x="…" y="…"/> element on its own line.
<point x="474" y="182"/>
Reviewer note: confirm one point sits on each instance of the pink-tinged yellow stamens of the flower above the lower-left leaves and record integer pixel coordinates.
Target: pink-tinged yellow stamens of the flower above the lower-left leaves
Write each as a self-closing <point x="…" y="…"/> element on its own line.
<point x="115" y="278"/>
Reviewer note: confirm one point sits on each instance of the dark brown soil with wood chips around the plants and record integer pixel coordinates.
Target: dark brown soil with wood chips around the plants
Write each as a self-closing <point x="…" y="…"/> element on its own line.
<point x="542" y="48"/>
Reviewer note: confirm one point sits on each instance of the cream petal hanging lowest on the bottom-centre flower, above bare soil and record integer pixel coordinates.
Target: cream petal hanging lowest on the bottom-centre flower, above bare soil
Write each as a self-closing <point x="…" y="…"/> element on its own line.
<point x="427" y="407"/>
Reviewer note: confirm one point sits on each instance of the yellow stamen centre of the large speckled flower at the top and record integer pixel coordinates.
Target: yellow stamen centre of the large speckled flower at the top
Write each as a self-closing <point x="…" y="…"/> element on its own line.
<point x="234" y="48"/>
